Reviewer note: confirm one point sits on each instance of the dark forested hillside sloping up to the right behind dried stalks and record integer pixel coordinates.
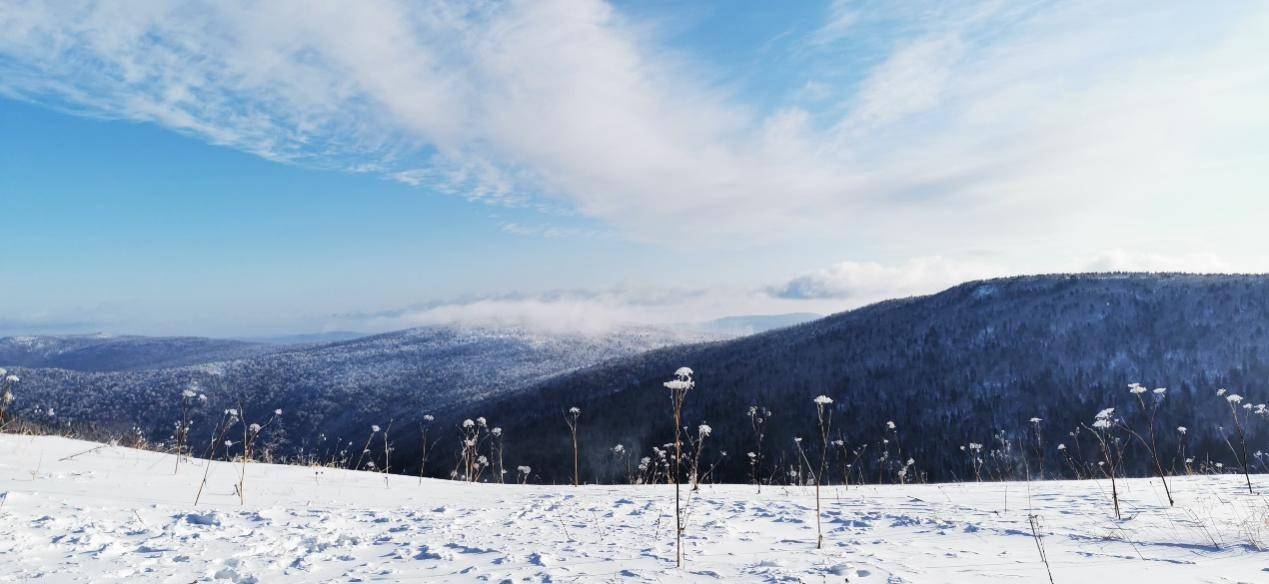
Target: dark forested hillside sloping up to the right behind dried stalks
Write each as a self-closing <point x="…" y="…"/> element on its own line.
<point x="974" y="364"/>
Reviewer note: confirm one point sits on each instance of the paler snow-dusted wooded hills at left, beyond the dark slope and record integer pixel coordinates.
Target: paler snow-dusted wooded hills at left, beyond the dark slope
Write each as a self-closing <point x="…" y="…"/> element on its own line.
<point x="327" y="389"/>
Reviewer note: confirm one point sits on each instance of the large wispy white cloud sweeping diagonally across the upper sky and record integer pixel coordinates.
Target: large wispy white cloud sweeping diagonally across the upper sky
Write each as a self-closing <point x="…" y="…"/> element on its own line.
<point x="983" y="123"/>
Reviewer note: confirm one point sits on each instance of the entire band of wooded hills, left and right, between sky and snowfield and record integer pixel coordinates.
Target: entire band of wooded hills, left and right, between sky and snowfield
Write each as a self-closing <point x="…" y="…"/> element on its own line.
<point x="974" y="364"/>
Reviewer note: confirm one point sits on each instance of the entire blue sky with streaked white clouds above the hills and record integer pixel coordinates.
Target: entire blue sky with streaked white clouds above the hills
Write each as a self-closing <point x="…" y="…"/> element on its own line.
<point x="239" y="169"/>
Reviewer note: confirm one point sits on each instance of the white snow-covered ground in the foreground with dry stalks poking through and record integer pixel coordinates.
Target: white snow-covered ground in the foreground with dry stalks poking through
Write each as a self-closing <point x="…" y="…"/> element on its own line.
<point x="77" y="512"/>
